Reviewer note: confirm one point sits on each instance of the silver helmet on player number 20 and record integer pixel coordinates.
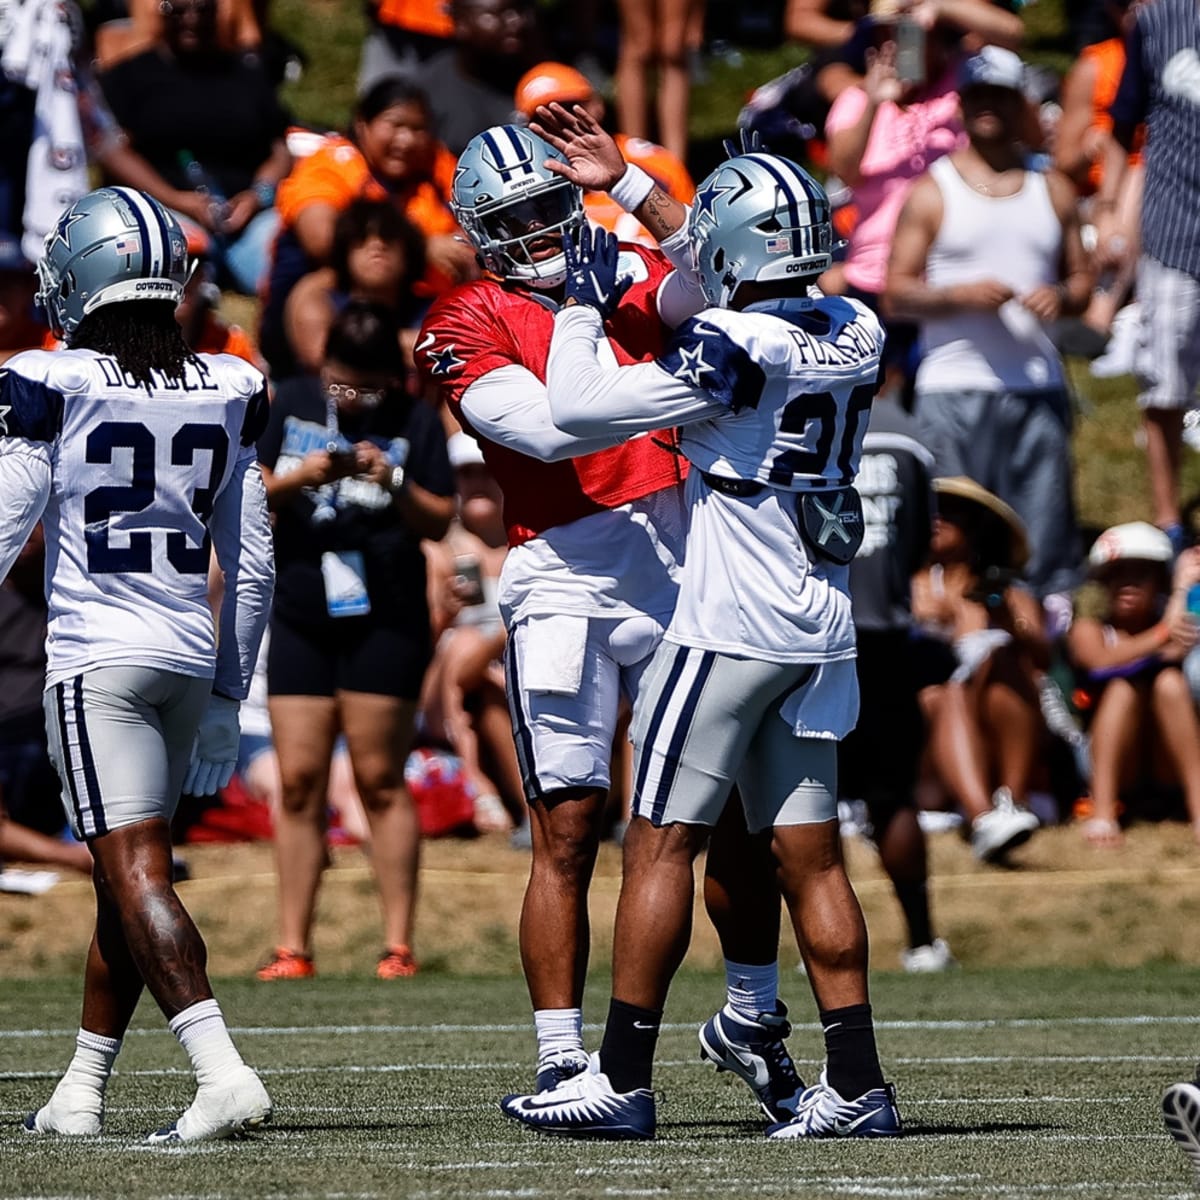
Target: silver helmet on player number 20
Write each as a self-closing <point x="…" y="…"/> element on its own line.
<point x="759" y="218"/>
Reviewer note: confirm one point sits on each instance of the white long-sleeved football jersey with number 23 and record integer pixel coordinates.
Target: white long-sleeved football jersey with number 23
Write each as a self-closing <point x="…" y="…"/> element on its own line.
<point x="130" y="484"/>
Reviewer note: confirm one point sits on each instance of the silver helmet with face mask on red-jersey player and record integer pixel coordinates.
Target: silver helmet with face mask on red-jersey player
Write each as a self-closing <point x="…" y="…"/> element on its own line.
<point x="506" y="201"/>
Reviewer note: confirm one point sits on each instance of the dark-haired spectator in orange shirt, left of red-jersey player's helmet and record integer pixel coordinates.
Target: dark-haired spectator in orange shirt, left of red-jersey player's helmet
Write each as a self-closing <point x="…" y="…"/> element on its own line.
<point x="391" y="157"/>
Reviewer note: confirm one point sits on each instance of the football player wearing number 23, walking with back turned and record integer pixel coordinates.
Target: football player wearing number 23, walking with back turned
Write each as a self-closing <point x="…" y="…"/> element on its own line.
<point x="137" y="457"/>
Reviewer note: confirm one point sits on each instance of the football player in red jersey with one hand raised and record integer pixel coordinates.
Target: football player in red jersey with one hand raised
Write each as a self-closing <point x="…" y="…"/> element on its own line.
<point x="595" y="530"/>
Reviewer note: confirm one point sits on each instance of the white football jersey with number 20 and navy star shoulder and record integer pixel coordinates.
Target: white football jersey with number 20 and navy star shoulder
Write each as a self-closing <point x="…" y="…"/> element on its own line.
<point x="776" y="395"/>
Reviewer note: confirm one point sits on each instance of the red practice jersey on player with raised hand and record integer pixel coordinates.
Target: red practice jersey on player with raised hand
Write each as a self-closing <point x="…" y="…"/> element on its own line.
<point x="485" y="326"/>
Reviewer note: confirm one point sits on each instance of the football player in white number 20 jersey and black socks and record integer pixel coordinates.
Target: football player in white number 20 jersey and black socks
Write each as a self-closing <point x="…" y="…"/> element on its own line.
<point x="754" y="683"/>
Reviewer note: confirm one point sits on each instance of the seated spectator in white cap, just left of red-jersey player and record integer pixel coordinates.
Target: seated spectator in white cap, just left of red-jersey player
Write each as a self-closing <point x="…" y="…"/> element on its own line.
<point x="464" y="701"/>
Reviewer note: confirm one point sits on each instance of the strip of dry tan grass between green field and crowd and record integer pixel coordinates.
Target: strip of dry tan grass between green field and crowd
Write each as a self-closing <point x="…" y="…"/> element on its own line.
<point x="1061" y="904"/>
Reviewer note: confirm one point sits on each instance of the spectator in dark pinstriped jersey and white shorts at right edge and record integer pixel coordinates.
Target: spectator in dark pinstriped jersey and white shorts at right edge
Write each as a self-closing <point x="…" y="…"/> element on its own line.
<point x="1159" y="87"/>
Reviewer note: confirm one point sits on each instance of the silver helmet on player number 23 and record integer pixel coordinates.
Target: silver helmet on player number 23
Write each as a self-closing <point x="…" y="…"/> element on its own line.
<point x="112" y="245"/>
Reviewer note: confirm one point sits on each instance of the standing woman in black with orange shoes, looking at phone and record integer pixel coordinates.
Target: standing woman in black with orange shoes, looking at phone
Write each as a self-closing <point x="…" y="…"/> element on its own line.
<point x="357" y="475"/>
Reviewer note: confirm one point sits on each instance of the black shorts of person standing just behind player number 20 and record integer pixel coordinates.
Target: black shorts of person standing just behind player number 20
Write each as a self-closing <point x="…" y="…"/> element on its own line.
<point x="878" y="763"/>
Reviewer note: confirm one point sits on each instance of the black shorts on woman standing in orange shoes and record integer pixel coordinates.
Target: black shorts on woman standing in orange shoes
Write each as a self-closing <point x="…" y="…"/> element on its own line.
<point x="353" y="655"/>
